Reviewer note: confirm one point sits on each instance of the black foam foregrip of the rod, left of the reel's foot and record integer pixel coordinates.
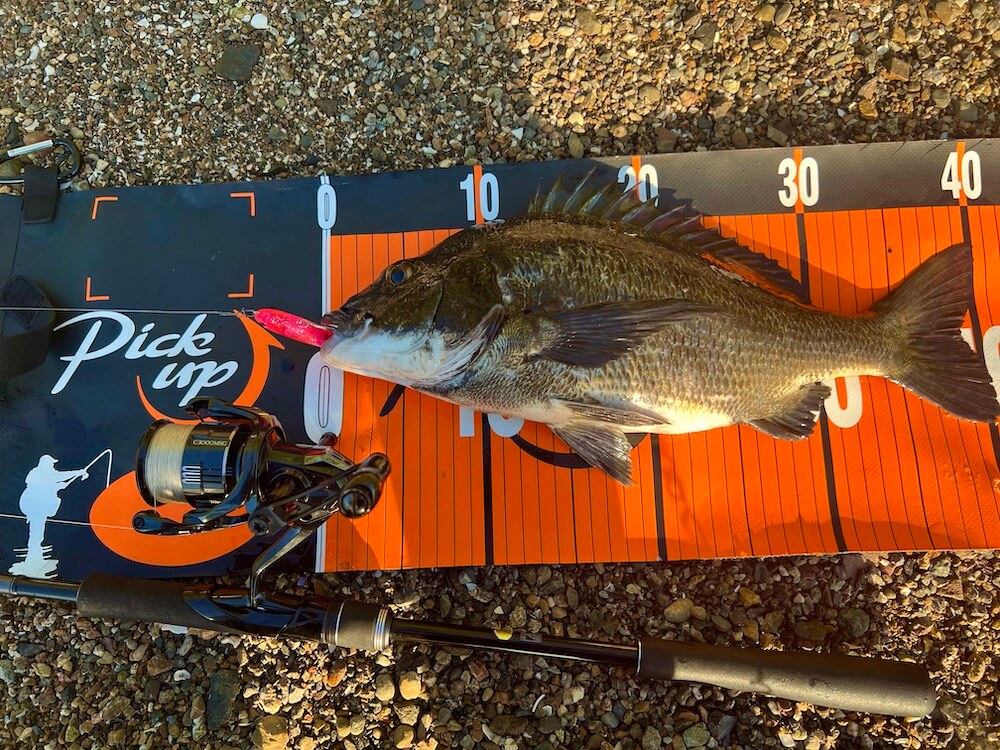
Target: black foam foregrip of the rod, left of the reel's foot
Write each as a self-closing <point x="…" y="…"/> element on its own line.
<point x="104" y="596"/>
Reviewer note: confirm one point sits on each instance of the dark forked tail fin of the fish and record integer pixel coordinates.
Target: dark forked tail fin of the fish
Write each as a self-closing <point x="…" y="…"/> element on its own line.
<point x="926" y="311"/>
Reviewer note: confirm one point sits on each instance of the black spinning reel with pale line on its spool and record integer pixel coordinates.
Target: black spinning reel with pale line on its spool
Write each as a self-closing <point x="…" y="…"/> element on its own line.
<point x="234" y="467"/>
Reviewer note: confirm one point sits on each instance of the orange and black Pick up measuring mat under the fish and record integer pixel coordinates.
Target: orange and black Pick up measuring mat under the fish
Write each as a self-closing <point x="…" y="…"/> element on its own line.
<point x="149" y="284"/>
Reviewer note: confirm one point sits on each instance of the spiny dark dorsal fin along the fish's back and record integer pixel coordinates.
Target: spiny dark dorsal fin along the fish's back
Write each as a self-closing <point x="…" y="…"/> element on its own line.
<point x="602" y="201"/>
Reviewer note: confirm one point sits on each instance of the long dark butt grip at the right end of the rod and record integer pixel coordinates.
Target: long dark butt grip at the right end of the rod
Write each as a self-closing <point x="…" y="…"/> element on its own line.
<point x="850" y="683"/>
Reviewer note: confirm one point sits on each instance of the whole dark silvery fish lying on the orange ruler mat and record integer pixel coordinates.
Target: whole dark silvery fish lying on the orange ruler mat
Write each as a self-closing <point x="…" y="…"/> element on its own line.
<point x="600" y="314"/>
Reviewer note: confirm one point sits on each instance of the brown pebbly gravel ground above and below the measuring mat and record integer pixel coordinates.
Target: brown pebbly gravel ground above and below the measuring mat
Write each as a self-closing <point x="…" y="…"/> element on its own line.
<point x="360" y="86"/>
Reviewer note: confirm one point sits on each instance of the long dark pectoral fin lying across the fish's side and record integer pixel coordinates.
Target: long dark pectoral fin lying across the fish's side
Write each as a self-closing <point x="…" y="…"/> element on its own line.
<point x="594" y="335"/>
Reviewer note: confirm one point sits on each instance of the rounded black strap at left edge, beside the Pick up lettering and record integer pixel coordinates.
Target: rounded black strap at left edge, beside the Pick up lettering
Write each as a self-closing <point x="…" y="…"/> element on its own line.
<point x="23" y="352"/>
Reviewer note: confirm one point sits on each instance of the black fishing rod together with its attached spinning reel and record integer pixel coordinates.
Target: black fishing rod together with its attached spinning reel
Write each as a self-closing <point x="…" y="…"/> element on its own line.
<point x="234" y="466"/>
